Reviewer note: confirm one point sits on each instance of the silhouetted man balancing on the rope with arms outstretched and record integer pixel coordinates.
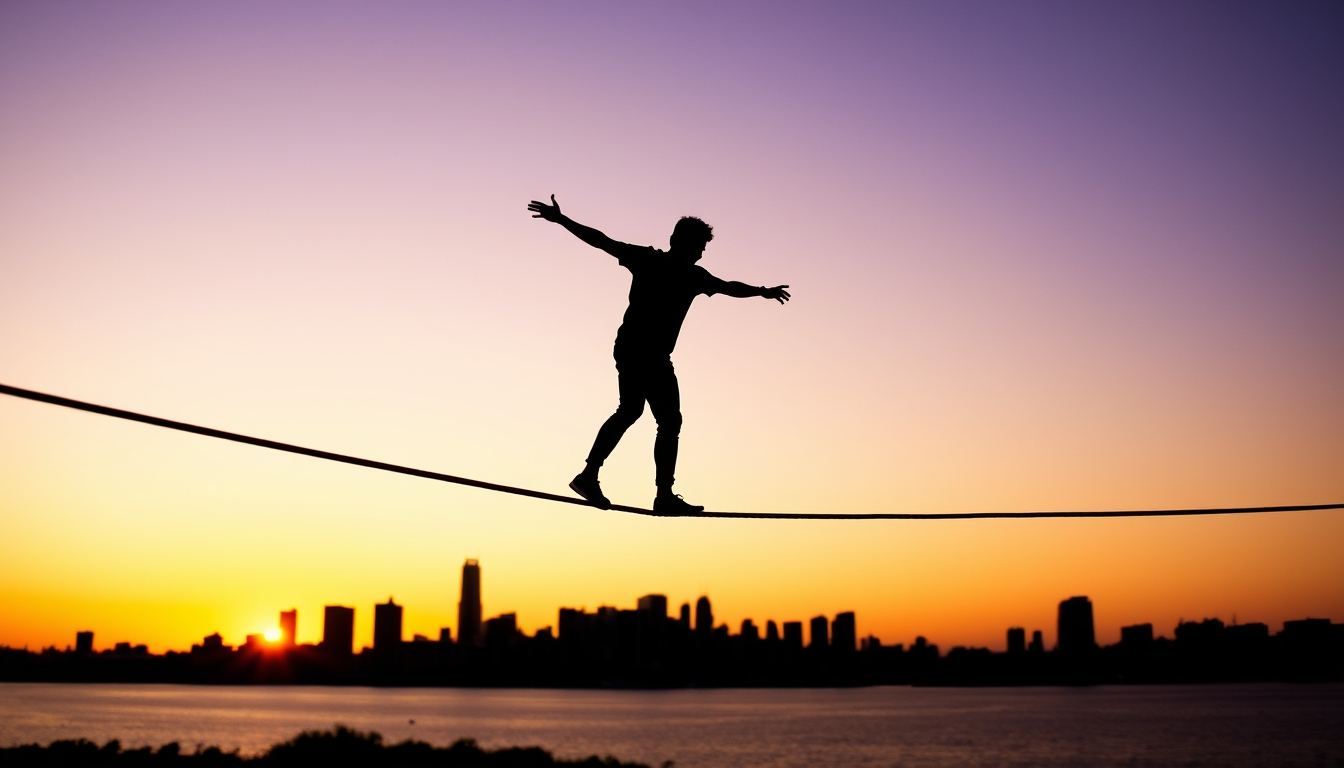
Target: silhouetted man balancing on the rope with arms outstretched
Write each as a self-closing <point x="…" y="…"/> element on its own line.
<point x="663" y="287"/>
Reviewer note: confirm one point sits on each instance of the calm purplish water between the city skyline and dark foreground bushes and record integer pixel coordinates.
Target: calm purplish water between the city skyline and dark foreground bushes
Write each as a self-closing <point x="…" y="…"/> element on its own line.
<point x="1143" y="726"/>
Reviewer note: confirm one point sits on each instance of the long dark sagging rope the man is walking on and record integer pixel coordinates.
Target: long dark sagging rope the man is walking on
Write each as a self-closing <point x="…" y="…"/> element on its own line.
<point x="384" y="466"/>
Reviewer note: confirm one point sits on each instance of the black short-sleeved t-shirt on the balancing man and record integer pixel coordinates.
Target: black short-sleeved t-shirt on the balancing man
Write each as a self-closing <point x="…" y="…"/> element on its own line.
<point x="662" y="291"/>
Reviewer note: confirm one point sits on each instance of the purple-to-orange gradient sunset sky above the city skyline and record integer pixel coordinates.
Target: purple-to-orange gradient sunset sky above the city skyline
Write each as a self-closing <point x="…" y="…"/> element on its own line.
<point x="1045" y="256"/>
